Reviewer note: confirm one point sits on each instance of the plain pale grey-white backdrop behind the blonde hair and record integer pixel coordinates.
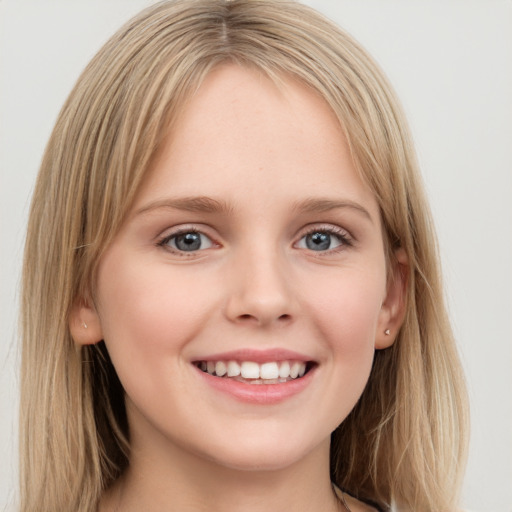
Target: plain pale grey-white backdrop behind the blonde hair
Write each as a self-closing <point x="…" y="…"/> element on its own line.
<point x="451" y="63"/>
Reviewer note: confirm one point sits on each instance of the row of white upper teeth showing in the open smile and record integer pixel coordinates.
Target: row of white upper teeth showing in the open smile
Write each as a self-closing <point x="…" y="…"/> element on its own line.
<point x="272" y="372"/>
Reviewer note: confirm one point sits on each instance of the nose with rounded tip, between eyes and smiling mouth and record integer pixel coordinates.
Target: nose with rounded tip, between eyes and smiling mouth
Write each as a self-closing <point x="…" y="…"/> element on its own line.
<point x="261" y="290"/>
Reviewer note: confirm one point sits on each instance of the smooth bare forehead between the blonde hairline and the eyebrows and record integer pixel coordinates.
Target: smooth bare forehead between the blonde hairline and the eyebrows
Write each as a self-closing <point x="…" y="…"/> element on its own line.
<point x="242" y="134"/>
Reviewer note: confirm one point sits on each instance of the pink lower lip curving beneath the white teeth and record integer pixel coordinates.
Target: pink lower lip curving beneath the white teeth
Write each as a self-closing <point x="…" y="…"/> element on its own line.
<point x="263" y="394"/>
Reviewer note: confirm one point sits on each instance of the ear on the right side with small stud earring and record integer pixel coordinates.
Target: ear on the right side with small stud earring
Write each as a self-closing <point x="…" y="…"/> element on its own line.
<point x="393" y="308"/>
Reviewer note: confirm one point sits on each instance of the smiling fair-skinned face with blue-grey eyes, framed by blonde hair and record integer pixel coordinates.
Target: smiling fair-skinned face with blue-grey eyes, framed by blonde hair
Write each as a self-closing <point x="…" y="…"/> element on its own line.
<point x="244" y="297"/>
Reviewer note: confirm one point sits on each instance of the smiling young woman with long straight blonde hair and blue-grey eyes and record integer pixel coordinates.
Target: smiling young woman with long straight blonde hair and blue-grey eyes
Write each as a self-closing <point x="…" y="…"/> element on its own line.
<point x="240" y="305"/>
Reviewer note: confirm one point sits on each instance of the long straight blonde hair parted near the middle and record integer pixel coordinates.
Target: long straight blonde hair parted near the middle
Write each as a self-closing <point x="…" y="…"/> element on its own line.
<point x="404" y="443"/>
